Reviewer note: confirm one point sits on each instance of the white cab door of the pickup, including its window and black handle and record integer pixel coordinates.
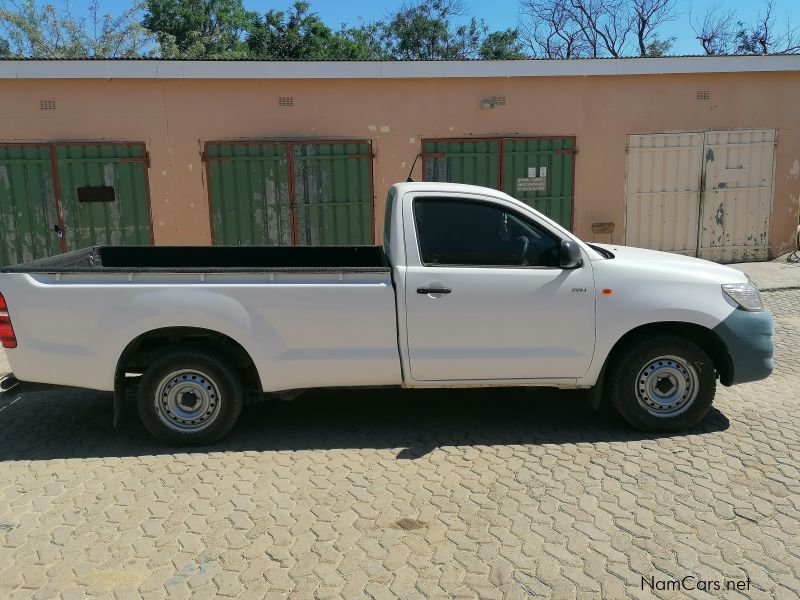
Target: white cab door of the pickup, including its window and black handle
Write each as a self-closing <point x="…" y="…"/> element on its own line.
<point x="486" y="299"/>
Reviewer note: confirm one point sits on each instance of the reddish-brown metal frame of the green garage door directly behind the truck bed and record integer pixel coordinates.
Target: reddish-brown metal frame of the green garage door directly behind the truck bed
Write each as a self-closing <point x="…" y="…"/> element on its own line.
<point x="289" y="143"/>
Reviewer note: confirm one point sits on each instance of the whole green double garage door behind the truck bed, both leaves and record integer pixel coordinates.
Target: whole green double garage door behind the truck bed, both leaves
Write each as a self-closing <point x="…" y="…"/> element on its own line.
<point x="285" y="193"/>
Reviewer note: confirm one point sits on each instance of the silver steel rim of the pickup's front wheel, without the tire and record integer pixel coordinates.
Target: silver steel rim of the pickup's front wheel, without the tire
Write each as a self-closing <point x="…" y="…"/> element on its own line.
<point x="666" y="386"/>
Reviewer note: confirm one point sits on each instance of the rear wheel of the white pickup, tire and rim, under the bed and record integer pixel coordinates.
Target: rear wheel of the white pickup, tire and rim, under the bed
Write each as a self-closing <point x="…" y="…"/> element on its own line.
<point x="181" y="376"/>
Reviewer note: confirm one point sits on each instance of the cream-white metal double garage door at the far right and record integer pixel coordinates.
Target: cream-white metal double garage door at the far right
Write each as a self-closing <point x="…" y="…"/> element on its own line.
<point x="706" y="194"/>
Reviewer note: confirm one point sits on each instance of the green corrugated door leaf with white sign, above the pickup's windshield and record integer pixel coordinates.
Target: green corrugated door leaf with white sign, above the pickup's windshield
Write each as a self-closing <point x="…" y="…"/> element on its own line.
<point x="540" y="172"/>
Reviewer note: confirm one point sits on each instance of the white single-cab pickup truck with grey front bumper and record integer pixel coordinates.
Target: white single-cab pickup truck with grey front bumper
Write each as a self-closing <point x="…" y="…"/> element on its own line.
<point x="471" y="288"/>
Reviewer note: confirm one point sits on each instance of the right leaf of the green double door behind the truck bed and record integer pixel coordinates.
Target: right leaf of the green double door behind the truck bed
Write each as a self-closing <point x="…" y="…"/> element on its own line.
<point x="332" y="193"/>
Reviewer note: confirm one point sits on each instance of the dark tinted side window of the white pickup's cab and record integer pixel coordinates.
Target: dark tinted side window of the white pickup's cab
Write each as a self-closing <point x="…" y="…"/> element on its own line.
<point x="469" y="233"/>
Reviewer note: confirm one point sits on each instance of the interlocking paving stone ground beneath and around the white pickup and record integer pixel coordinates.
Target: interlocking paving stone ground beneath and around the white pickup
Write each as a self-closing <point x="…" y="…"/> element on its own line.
<point x="487" y="493"/>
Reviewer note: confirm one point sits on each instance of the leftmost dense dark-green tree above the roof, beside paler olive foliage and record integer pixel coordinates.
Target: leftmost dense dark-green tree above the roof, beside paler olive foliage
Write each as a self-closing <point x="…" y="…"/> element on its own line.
<point x="198" y="28"/>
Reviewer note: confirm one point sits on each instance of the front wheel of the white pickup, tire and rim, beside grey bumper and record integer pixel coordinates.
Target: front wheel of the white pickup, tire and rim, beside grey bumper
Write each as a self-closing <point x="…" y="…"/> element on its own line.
<point x="667" y="364"/>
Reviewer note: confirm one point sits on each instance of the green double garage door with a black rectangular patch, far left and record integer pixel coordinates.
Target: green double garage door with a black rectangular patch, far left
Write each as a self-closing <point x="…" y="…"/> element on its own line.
<point x="60" y="197"/>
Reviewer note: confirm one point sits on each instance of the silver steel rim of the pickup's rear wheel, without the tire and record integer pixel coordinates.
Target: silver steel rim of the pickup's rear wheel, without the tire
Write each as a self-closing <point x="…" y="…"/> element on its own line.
<point x="187" y="400"/>
